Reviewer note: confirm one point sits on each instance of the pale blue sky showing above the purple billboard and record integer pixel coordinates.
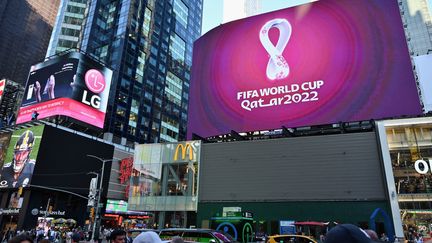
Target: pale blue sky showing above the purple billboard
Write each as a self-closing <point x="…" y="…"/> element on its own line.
<point x="213" y="9"/>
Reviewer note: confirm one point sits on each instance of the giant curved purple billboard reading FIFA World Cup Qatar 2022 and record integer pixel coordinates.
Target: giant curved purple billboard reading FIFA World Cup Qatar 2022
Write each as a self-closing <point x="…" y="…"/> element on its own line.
<point x="318" y="63"/>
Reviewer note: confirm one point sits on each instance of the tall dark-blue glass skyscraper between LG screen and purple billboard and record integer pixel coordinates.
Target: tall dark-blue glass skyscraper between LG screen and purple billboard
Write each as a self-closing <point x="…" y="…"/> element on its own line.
<point x="149" y="45"/>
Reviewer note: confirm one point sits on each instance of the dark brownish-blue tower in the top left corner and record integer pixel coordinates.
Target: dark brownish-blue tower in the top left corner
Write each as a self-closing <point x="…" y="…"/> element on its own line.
<point x="25" y="27"/>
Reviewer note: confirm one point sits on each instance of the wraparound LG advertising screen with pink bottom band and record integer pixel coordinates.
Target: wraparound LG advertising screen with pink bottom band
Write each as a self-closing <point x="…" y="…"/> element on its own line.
<point x="71" y="85"/>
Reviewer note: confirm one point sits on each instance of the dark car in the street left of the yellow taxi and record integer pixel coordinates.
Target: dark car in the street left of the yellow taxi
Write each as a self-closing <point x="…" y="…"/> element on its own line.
<point x="196" y="235"/>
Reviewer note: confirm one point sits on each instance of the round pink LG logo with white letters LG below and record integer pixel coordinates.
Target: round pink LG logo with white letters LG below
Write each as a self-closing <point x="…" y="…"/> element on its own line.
<point x="95" y="82"/>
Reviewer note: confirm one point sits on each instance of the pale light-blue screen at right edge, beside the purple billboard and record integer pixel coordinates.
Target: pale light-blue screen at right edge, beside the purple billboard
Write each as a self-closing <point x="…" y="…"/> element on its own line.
<point x="424" y="72"/>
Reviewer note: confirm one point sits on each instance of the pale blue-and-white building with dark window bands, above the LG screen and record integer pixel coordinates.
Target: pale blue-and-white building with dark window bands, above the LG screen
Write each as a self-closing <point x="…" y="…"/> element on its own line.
<point x="68" y="26"/>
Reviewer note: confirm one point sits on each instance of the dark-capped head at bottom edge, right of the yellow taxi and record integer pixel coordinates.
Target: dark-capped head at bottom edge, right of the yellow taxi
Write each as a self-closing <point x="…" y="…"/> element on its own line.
<point x="347" y="233"/>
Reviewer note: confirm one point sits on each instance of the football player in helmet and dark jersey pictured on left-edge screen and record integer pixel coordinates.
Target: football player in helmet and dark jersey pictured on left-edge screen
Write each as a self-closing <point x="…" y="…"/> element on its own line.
<point x="18" y="172"/>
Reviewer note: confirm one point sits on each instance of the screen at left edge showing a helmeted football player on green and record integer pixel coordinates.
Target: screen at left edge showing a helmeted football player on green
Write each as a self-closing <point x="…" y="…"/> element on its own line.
<point x="21" y="157"/>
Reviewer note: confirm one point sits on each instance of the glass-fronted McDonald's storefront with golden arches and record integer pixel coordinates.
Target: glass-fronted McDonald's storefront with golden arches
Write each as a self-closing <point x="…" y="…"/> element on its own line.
<point x="164" y="183"/>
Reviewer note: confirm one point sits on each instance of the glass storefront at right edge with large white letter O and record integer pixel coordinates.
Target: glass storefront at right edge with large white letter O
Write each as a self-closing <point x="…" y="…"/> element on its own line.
<point x="407" y="154"/>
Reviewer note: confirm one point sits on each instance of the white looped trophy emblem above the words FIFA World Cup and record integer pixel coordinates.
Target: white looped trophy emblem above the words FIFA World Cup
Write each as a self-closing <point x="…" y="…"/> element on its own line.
<point x="277" y="67"/>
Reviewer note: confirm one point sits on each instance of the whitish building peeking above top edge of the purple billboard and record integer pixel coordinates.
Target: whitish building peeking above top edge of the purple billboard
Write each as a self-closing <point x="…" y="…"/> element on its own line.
<point x="238" y="9"/>
